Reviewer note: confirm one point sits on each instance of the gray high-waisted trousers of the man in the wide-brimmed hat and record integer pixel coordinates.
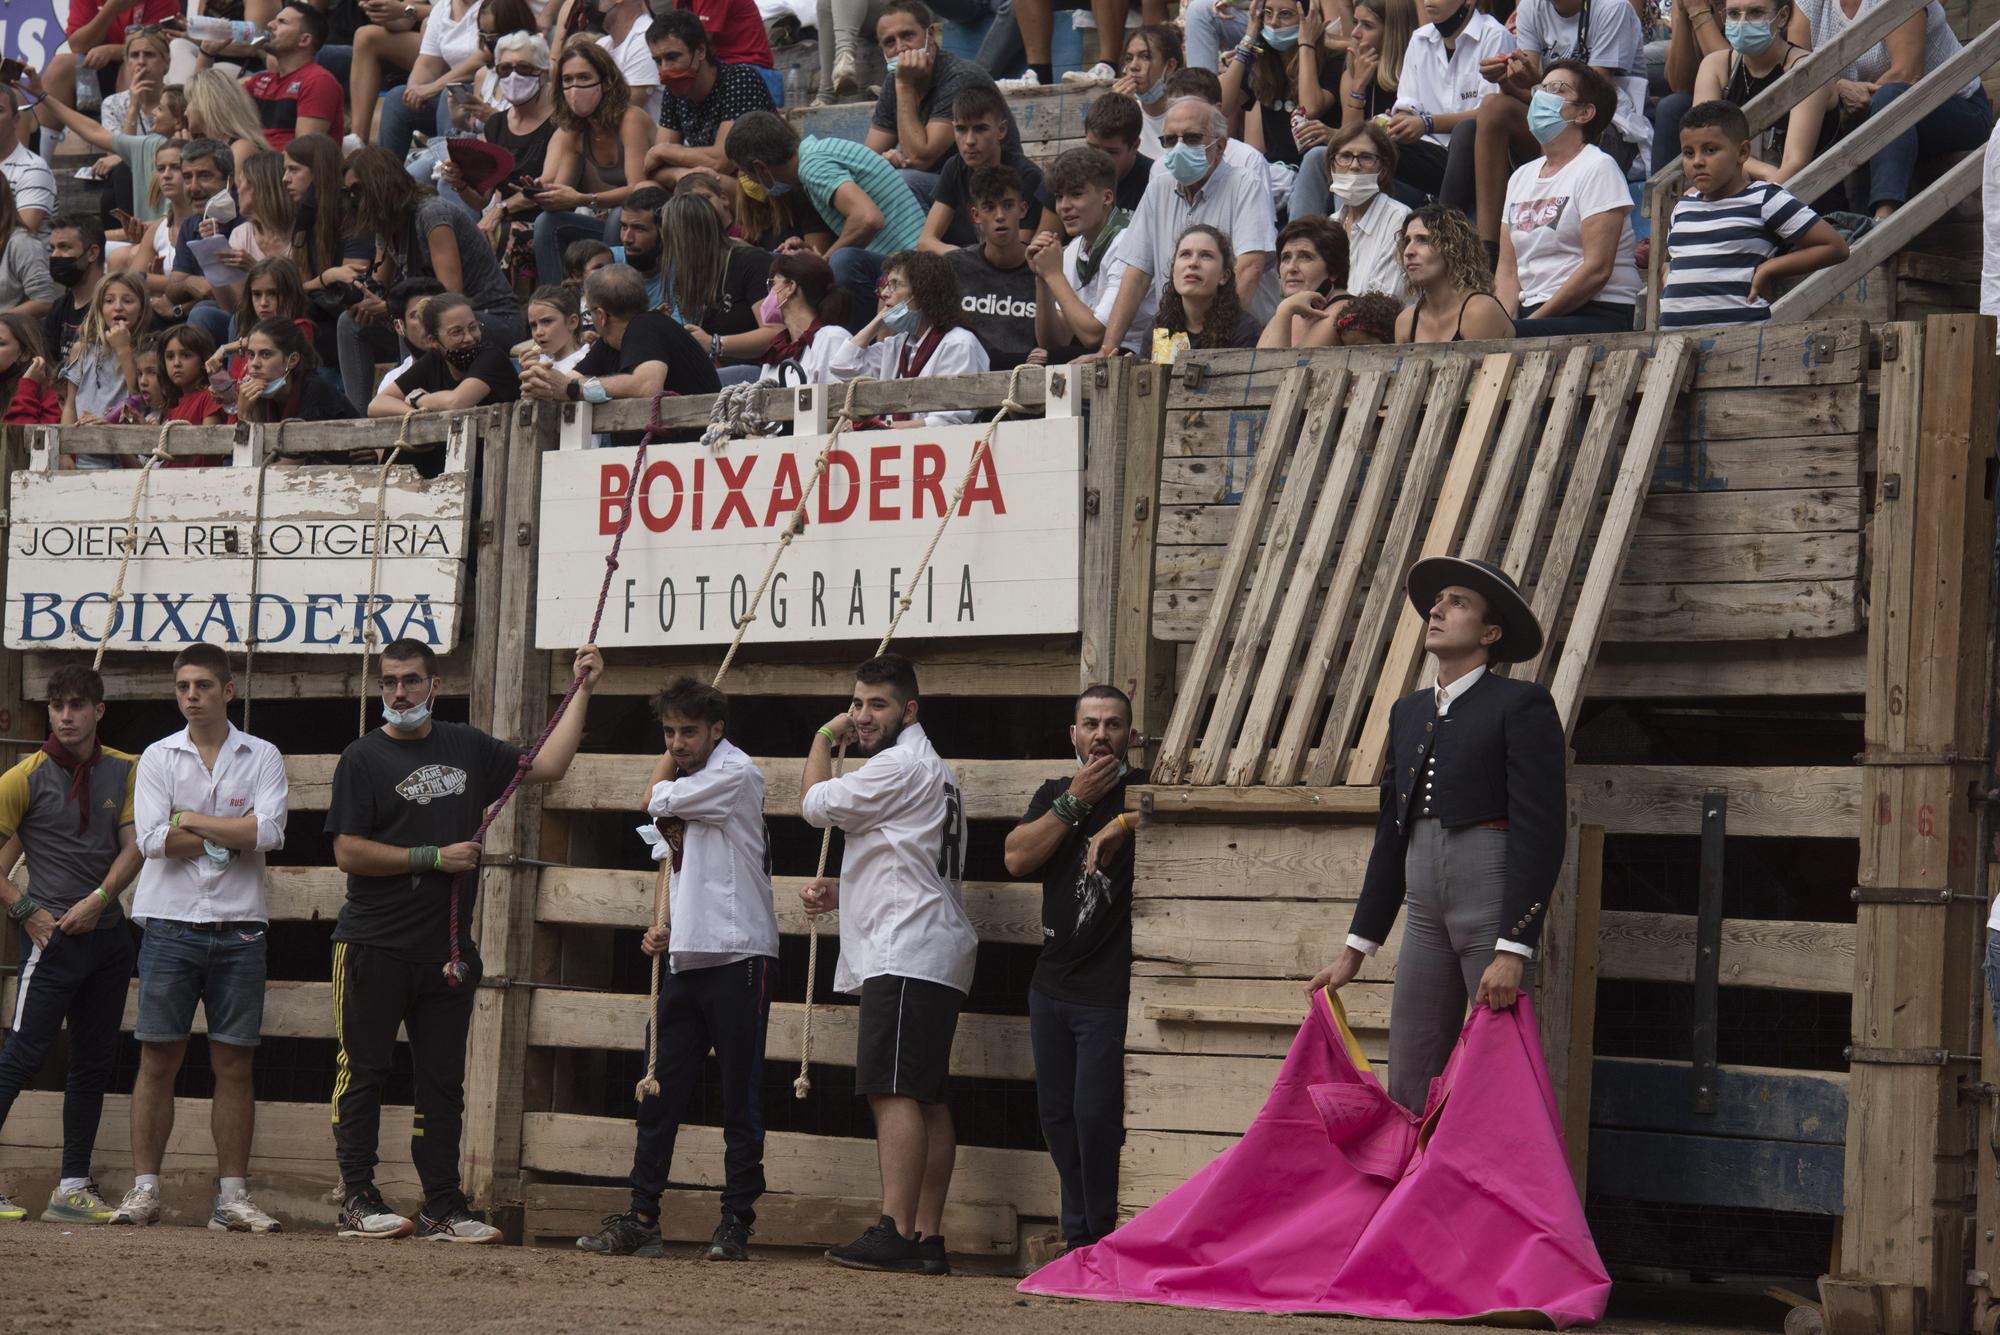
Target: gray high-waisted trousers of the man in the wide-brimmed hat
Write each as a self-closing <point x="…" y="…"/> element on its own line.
<point x="1451" y="920"/>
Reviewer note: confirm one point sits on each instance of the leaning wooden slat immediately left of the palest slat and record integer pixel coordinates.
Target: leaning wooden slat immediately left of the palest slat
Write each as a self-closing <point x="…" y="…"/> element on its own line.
<point x="1385" y="595"/>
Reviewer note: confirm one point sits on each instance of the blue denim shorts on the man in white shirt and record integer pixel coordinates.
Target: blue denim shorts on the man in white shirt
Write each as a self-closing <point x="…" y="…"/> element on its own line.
<point x="215" y="964"/>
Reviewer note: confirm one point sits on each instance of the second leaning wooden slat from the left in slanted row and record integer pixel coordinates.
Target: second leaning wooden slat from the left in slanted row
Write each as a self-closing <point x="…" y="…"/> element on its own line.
<point x="1275" y="573"/>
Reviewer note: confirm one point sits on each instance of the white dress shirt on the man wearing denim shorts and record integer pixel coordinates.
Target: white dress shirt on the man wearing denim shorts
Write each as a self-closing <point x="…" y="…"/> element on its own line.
<point x="249" y="780"/>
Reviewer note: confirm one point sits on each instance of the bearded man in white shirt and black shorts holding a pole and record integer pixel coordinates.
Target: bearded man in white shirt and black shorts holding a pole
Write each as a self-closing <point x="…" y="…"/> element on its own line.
<point x="907" y="948"/>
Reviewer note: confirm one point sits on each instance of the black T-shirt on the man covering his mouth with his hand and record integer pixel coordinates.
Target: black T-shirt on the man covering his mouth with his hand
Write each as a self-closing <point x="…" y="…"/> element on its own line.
<point x="1091" y="962"/>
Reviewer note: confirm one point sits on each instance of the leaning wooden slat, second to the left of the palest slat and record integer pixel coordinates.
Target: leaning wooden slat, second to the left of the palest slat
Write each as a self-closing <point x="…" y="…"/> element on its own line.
<point x="1317" y="667"/>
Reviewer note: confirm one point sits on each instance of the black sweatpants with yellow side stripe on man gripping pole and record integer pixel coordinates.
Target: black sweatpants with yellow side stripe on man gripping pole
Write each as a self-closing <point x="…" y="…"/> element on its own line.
<point x="375" y="992"/>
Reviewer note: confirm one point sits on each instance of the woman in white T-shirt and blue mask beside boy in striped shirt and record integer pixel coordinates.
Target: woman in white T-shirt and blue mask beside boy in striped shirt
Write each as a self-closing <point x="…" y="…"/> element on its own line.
<point x="1567" y="239"/>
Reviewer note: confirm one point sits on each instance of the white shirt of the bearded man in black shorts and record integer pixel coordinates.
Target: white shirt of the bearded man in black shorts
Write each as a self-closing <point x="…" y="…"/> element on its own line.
<point x="899" y="912"/>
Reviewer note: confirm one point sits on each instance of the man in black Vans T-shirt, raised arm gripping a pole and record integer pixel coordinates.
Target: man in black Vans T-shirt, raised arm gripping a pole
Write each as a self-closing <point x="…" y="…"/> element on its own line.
<point x="407" y="802"/>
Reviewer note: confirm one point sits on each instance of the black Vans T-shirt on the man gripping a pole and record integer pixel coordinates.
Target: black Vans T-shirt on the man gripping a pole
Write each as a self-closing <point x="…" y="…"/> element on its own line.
<point x="411" y="794"/>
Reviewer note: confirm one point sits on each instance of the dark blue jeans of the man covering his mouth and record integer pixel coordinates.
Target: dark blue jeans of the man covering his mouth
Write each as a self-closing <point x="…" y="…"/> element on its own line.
<point x="1079" y="1088"/>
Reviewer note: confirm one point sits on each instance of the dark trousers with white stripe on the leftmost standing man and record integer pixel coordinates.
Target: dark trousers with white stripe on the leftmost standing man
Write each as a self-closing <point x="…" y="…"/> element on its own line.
<point x="81" y="980"/>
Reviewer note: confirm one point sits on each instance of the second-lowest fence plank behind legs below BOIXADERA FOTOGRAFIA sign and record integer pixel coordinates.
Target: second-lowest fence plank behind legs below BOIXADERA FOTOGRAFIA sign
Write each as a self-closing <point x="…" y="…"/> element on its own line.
<point x="797" y="1164"/>
